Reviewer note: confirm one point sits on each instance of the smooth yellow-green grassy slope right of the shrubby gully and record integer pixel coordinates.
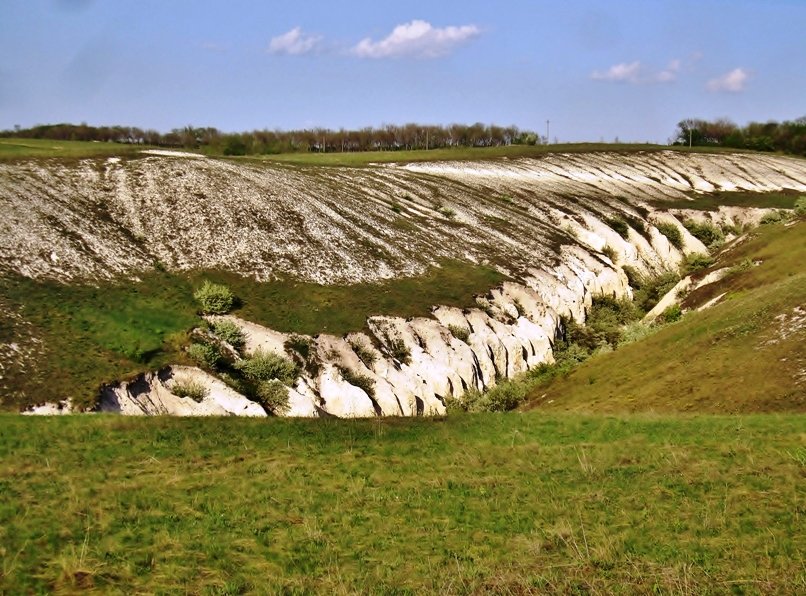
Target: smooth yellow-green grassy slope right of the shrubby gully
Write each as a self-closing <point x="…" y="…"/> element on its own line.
<point x="717" y="360"/>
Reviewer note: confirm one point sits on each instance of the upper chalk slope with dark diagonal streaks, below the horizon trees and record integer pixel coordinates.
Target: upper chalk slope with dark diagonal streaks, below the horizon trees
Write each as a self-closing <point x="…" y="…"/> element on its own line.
<point x="100" y="219"/>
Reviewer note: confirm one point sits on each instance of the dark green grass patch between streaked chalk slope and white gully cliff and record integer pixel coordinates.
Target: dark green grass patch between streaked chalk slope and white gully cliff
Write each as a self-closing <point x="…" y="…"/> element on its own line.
<point x="94" y="335"/>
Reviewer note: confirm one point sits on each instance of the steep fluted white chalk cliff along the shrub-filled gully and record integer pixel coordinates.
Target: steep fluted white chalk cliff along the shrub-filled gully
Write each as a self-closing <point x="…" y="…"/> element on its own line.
<point x="409" y="367"/>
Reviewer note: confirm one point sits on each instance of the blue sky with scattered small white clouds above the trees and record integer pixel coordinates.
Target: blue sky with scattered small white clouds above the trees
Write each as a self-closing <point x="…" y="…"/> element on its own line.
<point x="596" y="70"/>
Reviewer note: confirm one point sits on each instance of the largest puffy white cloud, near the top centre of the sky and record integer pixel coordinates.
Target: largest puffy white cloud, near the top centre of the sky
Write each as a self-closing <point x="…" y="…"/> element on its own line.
<point x="417" y="38"/>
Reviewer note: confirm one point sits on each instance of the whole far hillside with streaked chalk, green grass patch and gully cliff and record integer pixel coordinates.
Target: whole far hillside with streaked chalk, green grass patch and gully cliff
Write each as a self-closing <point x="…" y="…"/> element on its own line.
<point x="100" y="258"/>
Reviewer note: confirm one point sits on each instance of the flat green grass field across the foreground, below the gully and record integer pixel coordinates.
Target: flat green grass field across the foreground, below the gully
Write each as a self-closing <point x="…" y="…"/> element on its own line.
<point x="505" y="503"/>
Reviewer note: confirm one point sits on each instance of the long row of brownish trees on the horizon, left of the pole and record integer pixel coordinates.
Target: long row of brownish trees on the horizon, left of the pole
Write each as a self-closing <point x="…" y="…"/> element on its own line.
<point x="384" y="138"/>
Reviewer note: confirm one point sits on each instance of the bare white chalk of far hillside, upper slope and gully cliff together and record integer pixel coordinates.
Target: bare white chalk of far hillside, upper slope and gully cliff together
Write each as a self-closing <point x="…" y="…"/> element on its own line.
<point x="545" y="221"/>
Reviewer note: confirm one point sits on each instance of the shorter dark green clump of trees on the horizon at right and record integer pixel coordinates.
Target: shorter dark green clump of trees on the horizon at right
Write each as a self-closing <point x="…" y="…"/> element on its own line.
<point x="788" y="136"/>
